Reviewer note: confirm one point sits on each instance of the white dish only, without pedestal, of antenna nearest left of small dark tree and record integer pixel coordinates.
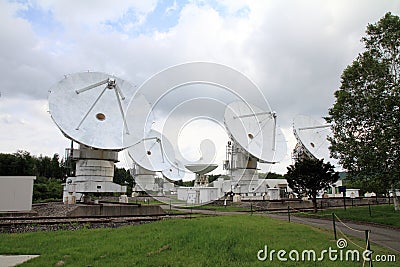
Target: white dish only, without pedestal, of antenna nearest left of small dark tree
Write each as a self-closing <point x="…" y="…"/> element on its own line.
<point x="253" y="128"/>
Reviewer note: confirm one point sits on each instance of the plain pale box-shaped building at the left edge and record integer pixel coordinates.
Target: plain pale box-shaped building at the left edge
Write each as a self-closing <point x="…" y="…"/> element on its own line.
<point x="16" y="193"/>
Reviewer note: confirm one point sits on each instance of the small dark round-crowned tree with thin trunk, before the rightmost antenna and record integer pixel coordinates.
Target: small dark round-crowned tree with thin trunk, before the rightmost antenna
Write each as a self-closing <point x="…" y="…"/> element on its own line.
<point x="309" y="176"/>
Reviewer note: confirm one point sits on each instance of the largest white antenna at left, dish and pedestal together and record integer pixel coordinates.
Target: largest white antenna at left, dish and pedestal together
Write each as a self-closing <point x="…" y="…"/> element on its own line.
<point x="89" y="108"/>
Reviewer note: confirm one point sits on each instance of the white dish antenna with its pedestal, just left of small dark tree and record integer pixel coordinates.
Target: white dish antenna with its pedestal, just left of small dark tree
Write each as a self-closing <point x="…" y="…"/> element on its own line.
<point x="254" y="136"/>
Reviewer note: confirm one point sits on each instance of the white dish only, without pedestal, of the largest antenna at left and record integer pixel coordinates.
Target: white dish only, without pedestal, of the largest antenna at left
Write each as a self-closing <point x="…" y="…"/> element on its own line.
<point x="90" y="108"/>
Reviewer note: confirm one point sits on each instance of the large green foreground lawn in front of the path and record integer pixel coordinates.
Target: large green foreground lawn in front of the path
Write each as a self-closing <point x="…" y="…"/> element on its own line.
<point x="204" y="241"/>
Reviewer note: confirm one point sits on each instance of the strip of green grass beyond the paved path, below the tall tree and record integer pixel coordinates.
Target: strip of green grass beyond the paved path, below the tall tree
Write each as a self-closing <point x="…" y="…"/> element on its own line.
<point x="382" y="214"/>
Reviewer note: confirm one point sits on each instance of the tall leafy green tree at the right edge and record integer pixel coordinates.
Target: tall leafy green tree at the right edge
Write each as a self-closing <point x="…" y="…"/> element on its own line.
<point x="366" y="116"/>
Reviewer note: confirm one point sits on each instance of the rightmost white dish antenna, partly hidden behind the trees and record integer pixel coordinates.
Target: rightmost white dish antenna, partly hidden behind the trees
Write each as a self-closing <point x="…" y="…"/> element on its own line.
<point x="312" y="139"/>
